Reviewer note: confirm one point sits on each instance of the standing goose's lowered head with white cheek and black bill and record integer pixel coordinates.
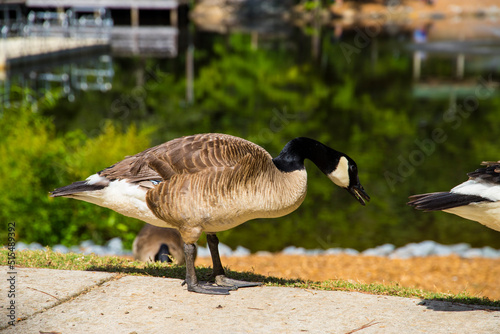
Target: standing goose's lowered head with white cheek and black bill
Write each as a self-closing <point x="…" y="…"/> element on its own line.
<point x="345" y="175"/>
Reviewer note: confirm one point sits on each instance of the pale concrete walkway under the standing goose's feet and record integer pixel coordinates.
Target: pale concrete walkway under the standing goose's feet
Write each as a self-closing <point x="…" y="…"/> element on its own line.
<point x="61" y="301"/>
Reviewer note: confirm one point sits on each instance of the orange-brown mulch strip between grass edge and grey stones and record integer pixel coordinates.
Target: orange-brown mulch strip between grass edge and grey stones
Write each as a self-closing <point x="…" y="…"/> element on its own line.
<point x="451" y="274"/>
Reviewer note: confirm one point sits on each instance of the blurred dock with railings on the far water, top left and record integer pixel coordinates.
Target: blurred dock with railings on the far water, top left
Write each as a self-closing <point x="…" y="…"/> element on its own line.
<point x="55" y="29"/>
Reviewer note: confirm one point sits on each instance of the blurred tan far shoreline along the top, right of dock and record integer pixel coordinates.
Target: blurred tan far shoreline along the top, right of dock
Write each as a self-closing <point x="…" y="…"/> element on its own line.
<point x="448" y="19"/>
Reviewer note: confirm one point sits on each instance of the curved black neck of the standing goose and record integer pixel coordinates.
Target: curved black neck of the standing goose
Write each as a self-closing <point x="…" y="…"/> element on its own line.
<point x="293" y="154"/>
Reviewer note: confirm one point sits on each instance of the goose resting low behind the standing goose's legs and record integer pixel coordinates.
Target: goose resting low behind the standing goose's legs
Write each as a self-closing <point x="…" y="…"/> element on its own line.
<point x="154" y="243"/>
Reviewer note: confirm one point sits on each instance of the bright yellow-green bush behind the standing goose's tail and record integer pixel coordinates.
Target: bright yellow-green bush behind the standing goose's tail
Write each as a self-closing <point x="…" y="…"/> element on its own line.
<point x="35" y="161"/>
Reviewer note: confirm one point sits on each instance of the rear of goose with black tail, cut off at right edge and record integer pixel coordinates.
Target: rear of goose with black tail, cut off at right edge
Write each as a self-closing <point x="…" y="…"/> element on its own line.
<point x="476" y="199"/>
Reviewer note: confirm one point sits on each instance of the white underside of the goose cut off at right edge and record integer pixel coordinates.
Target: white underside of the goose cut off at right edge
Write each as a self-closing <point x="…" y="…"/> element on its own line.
<point x="486" y="213"/>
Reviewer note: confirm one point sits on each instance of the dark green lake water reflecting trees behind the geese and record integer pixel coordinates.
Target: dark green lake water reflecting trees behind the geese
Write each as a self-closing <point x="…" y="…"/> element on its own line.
<point x="415" y="112"/>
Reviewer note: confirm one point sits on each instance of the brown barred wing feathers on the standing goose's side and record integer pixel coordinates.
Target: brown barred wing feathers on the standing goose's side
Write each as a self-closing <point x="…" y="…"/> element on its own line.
<point x="228" y="169"/>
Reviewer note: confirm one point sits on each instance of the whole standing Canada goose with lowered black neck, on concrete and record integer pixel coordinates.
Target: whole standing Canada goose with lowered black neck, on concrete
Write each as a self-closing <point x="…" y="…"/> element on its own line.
<point x="211" y="183"/>
